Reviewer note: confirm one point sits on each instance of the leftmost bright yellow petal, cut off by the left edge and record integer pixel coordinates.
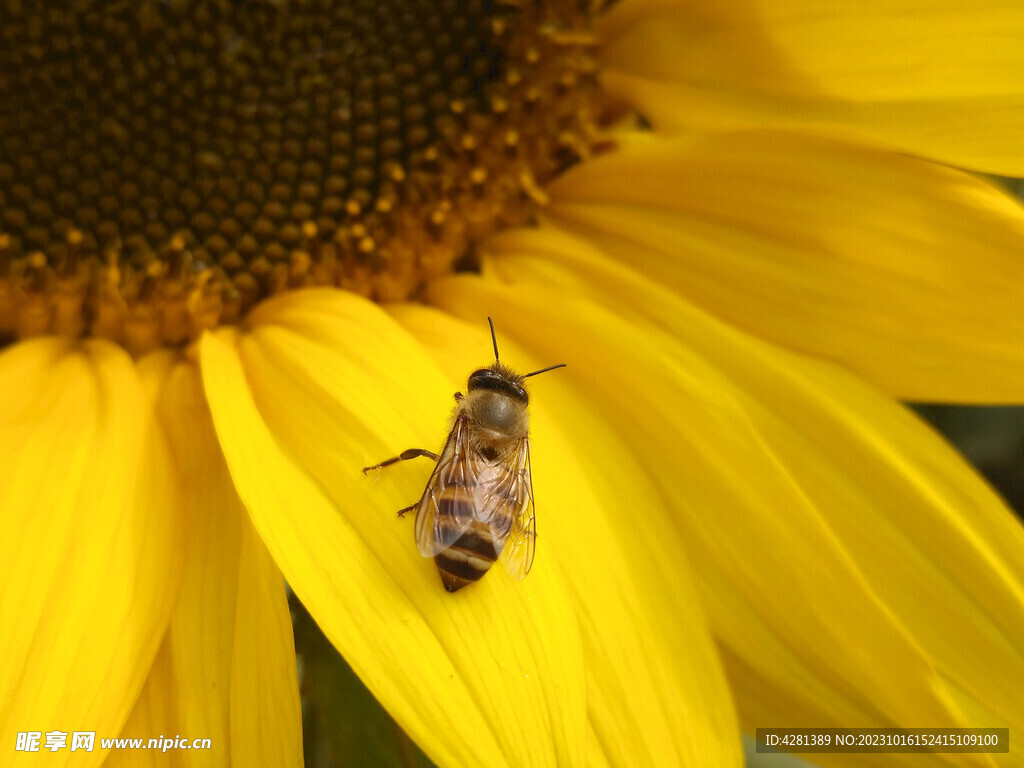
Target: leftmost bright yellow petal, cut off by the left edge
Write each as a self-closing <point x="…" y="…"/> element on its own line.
<point x="93" y="547"/>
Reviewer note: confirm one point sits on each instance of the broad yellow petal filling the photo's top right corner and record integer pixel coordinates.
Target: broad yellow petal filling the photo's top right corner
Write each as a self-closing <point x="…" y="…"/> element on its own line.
<point x="940" y="79"/>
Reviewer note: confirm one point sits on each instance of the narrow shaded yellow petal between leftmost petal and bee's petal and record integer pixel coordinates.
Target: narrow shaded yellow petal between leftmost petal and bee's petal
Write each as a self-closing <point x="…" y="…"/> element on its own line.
<point x="230" y="644"/>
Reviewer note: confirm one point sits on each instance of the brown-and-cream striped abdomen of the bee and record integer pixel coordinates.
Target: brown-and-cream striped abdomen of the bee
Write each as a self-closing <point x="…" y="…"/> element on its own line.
<point x="473" y="554"/>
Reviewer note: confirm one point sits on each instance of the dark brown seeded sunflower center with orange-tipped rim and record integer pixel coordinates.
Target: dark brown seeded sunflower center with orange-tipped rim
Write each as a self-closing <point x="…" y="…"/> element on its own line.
<point x="166" y="164"/>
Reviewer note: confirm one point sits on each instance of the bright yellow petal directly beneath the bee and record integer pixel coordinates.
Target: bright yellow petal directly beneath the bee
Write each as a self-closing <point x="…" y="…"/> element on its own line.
<point x="324" y="385"/>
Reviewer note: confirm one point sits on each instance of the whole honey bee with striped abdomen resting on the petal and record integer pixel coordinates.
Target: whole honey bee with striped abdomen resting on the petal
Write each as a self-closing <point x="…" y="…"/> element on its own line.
<point x="479" y="504"/>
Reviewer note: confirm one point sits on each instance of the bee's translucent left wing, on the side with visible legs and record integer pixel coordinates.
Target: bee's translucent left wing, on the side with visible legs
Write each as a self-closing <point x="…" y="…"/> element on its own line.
<point x="441" y="516"/>
